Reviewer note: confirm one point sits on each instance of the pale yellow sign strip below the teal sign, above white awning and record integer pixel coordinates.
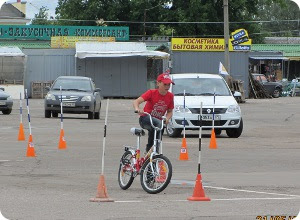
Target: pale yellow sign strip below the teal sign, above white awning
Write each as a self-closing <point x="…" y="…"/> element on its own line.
<point x="70" y="42"/>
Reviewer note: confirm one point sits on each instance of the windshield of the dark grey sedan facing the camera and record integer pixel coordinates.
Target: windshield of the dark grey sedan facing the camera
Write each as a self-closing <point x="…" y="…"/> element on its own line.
<point x="72" y="84"/>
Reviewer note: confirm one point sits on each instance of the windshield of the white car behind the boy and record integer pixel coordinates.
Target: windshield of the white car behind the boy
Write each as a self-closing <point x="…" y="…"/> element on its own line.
<point x="200" y="86"/>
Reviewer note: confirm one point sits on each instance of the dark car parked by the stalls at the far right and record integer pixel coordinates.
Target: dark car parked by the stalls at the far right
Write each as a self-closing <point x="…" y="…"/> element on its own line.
<point x="273" y="88"/>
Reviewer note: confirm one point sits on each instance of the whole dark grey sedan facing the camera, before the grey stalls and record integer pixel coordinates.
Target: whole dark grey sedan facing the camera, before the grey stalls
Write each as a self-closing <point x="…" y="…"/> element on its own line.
<point x="79" y="96"/>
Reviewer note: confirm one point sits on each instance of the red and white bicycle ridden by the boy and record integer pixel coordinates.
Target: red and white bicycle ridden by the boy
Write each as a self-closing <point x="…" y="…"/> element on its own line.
<point x="155" y="169"/>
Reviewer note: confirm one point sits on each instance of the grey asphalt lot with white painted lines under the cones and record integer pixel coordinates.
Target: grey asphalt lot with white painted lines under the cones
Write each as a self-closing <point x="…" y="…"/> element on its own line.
<point x="256" y="176"/>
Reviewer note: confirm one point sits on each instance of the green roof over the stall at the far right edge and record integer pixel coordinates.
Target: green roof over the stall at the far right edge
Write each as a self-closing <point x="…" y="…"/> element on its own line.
<point x="288" y="50"/>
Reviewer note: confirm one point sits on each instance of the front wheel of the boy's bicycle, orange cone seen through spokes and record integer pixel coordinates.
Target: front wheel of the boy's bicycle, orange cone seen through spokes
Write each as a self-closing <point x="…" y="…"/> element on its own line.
<point x="157" y="180"/>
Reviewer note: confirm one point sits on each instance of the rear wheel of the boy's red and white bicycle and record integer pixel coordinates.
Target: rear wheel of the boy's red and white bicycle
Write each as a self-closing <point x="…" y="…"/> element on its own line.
<point x="125" y="177"/>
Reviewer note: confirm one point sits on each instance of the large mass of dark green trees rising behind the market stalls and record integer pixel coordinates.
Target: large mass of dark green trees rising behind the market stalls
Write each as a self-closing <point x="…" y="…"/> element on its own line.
<point x="136" y="13"/>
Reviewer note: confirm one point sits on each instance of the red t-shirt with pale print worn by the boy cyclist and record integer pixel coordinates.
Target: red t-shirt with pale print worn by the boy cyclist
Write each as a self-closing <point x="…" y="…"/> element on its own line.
<point x="157" y="104"/>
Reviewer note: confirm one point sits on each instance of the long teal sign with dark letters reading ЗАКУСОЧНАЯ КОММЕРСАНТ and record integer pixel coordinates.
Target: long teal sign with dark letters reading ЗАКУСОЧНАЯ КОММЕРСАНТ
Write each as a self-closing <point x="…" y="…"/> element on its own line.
<point x="45" y="32"/>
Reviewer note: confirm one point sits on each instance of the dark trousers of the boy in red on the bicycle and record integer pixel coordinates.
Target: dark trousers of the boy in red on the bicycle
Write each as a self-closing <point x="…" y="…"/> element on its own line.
<point x="146" y="124"/>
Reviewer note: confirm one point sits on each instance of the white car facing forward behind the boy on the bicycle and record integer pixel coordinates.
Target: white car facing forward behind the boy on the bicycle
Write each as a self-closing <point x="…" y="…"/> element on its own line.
<point x="200" y="87"/>
